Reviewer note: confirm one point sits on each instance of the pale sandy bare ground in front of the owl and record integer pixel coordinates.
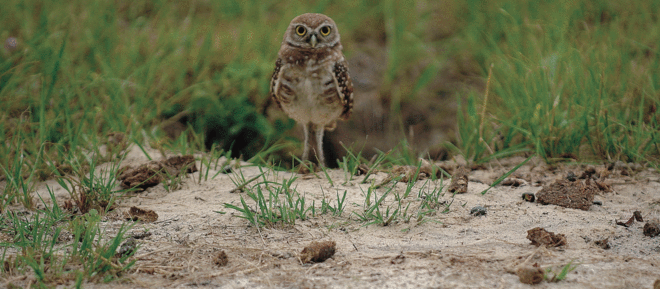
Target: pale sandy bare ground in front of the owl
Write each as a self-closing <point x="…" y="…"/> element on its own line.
<point x="452" y="249"/>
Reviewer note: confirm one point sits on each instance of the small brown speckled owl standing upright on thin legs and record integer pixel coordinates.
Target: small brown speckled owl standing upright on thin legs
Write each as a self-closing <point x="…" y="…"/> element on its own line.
<point x="310" y="82"/>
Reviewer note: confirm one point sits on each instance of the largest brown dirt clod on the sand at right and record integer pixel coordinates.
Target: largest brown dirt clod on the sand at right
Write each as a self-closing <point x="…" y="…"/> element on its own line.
<point x="575" y="195"/>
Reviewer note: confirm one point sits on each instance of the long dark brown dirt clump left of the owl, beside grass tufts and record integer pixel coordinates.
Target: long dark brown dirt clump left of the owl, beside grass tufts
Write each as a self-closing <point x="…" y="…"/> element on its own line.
<point x="152" y="173"/>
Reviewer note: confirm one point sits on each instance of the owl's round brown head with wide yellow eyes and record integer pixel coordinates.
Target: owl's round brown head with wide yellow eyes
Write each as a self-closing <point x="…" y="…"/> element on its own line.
<point x="312" y="31"/>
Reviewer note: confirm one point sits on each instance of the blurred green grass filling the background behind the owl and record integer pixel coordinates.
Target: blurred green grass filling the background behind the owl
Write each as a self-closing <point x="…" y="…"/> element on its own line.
<point x="576" y="79"/>
